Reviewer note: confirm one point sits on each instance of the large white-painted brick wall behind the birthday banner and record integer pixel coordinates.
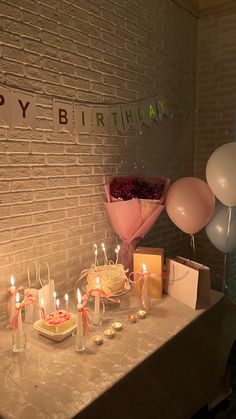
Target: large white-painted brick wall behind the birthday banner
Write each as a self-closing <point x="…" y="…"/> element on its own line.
<point x="102" y="52"/>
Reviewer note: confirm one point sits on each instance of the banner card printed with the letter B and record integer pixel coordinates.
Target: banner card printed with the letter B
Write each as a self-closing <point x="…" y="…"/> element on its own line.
<point x="63" y="116"/>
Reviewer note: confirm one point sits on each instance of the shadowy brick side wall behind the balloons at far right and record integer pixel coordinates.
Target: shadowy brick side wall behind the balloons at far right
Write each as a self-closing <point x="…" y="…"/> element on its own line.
<point x="215" y="114"/>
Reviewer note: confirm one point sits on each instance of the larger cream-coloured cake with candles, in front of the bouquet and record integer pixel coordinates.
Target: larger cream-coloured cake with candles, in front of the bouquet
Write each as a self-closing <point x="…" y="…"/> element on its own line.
<point x="113" y="279"/>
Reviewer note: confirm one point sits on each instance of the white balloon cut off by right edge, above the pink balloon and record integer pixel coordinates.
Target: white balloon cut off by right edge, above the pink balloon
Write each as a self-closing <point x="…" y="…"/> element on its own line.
<point x="221" y="173"/>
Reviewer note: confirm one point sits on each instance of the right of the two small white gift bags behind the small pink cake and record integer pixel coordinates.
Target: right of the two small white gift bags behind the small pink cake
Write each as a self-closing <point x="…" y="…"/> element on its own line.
<point x="48" y="288"/>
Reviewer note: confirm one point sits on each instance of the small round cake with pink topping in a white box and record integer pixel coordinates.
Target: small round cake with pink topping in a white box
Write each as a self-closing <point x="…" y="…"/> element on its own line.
<point x="58" y="322"/>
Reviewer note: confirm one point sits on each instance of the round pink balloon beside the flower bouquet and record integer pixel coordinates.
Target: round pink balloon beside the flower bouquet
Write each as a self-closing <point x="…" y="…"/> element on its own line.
<point x="190" y="204"/>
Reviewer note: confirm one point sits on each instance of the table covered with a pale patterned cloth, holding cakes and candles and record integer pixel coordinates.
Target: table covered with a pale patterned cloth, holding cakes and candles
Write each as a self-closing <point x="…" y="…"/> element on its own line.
<point x="166" y="366"/>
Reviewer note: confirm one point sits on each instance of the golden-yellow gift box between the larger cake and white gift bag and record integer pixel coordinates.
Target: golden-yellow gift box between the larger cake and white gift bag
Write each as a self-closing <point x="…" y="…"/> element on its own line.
<point x="153" y="258"/>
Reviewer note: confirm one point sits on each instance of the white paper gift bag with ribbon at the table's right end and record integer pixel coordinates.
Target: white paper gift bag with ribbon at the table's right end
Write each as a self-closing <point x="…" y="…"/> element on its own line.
<point x="188" y="282"/>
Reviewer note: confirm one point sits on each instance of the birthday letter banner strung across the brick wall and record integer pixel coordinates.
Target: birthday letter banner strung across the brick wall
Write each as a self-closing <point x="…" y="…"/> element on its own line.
<point x="18" y="109"/>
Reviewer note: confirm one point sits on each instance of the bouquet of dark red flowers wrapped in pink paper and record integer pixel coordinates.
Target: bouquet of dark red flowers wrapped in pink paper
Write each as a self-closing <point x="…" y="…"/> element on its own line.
<point x="133" y="206"/>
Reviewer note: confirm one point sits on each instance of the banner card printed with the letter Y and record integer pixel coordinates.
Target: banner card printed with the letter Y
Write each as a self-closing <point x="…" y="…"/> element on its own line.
<point x="23" y="109"/>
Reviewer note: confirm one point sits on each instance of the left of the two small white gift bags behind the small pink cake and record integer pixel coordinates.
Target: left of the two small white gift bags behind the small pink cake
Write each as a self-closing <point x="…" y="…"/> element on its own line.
<point x="32" y="313"/>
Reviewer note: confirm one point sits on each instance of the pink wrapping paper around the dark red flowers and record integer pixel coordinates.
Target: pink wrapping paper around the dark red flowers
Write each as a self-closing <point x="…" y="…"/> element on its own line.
<point x="131" y="220"/>
